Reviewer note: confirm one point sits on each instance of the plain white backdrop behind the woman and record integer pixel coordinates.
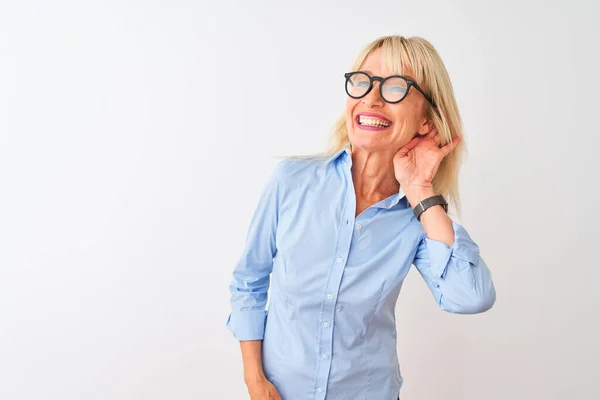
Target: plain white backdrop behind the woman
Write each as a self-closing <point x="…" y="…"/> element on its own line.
<point x="135" y="138"/>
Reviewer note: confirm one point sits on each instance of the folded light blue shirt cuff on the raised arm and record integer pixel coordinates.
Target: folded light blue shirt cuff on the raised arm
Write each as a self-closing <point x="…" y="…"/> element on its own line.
<point x="464" y="252"/>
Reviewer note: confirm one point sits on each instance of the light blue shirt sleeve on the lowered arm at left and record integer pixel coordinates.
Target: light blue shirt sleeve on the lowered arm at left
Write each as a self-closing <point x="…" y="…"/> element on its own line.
<point x="251" y="274"/>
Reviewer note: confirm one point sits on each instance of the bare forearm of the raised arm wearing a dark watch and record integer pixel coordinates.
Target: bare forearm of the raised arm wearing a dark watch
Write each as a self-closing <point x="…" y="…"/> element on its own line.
<point x="436" y="223"/>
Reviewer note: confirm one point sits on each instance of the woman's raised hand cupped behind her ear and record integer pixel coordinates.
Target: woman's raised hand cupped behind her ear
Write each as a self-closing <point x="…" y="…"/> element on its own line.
<point x="416" y="164"/>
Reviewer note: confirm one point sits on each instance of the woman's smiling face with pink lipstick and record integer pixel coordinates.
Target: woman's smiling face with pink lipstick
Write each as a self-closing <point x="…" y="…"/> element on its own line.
<point x="403" y="120"/>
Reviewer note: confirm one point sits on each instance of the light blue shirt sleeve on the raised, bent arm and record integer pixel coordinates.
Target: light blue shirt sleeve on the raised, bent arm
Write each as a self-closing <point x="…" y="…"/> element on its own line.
<point x="458" y="277"/>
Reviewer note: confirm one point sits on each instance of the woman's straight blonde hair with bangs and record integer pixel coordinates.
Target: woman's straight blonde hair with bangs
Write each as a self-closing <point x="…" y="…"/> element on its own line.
<point x="417" y="57"/>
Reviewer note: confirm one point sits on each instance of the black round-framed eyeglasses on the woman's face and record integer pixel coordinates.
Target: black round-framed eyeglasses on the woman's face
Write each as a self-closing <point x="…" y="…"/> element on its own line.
<point x="392" y="89"/>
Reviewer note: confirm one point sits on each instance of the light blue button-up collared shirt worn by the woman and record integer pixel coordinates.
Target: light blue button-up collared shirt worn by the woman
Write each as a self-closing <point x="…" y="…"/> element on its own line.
<point x="330" y="330"/>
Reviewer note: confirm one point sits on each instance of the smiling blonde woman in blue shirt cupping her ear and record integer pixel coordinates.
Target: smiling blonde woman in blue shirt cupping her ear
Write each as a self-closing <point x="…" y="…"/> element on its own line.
<point x="334" y="236"/>
